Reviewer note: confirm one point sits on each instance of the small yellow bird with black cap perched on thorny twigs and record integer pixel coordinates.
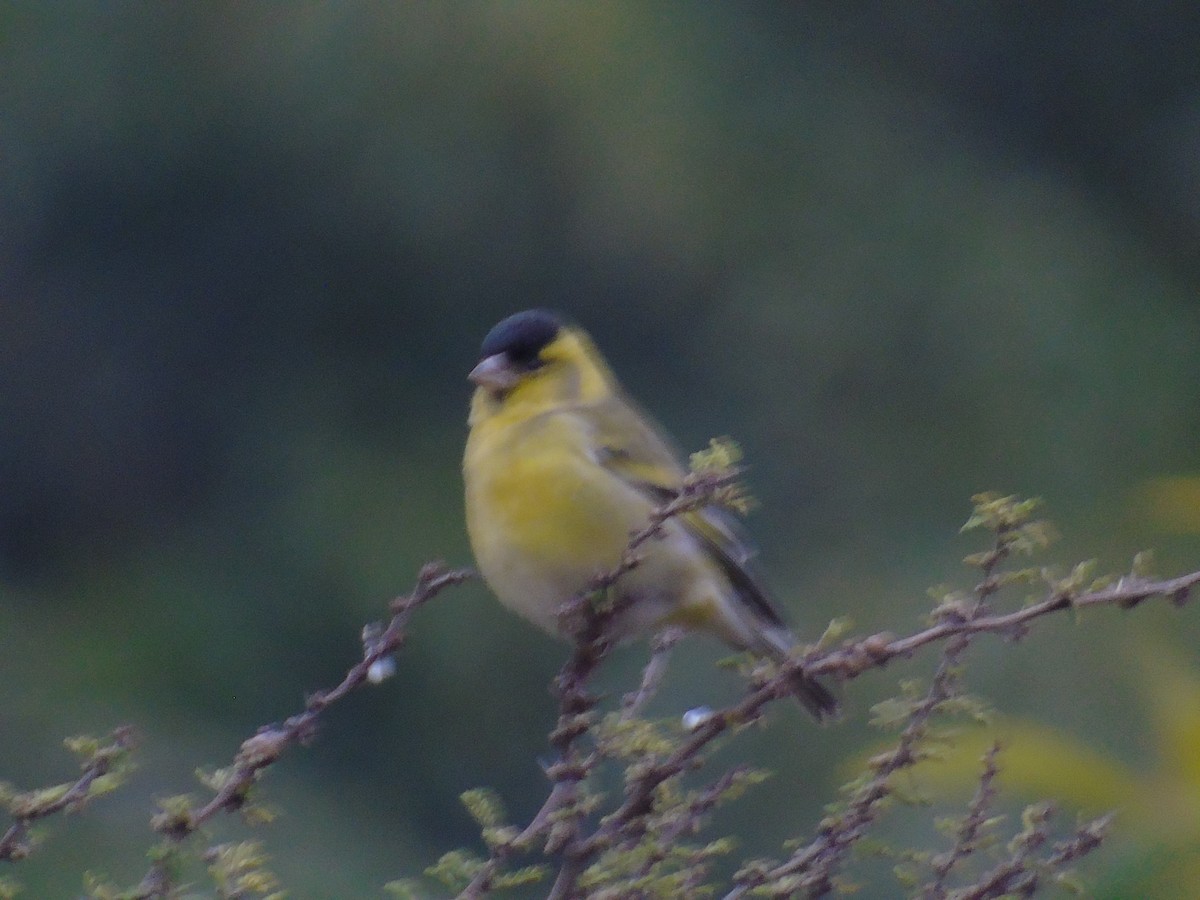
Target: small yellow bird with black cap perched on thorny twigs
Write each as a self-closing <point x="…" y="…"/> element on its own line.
<point x="562" y="467"/>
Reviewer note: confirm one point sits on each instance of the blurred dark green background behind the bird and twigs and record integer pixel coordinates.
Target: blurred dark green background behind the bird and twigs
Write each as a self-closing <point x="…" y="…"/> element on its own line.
<point x="903" y="253"/>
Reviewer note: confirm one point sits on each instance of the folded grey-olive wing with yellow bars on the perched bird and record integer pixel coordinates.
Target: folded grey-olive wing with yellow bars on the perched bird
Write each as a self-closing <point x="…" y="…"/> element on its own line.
<point x="629" y="447"/>
